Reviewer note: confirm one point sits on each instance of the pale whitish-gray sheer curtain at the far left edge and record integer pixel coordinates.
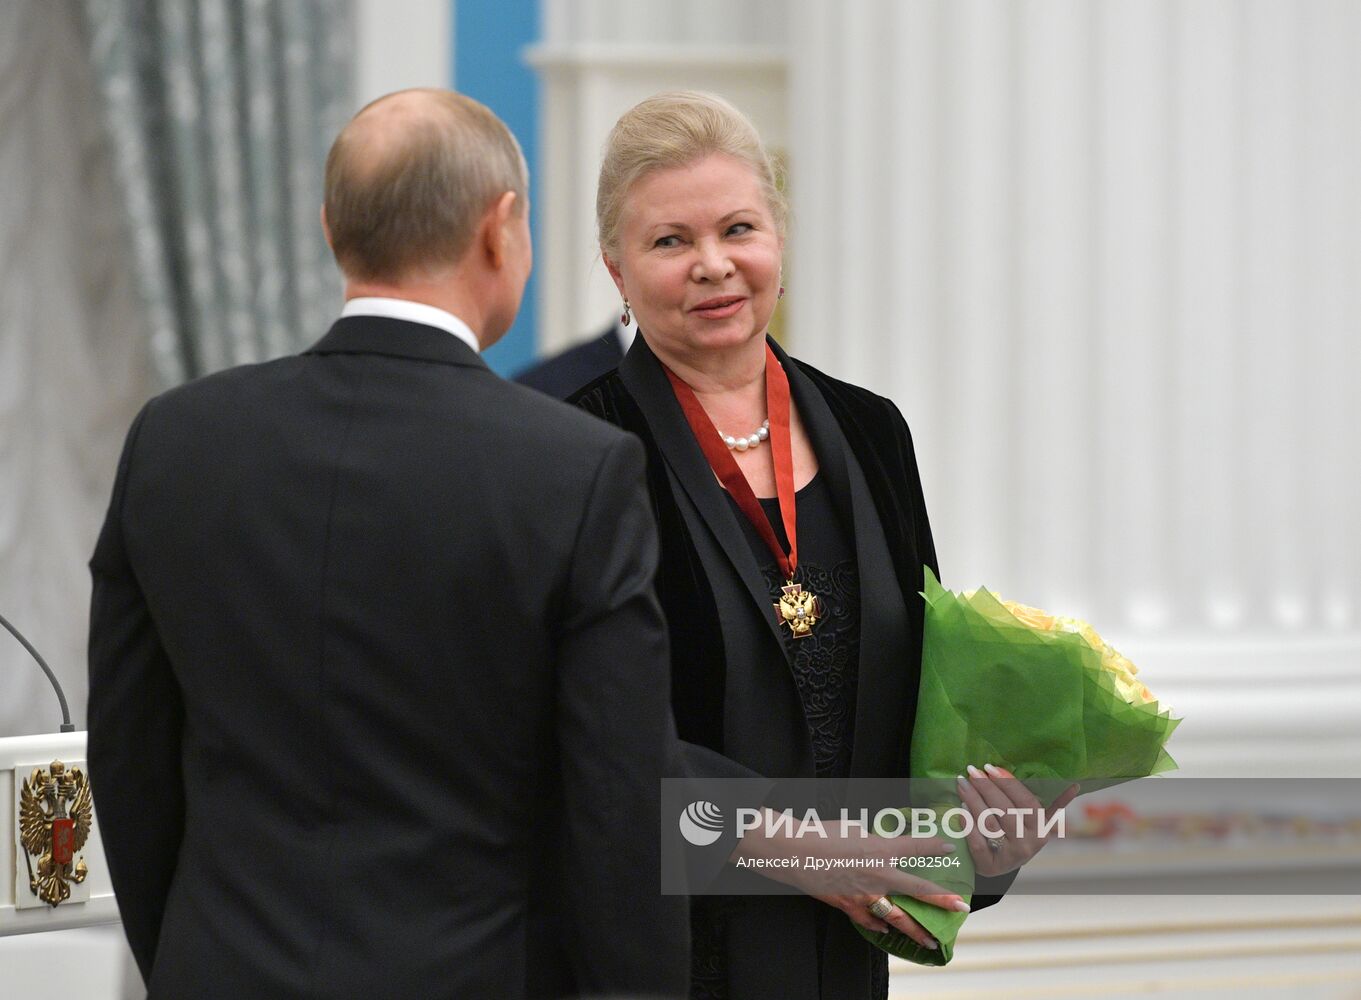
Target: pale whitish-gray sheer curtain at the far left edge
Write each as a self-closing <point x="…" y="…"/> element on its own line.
<point x="74" y="361"/>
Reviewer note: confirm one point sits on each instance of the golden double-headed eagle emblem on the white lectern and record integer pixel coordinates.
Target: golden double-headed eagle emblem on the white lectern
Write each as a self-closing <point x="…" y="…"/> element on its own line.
<point x="55" y="816"/>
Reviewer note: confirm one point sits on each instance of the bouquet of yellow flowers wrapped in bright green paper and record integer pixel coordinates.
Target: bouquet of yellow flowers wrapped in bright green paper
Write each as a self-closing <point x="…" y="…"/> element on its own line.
<point x="1039" y="695"/>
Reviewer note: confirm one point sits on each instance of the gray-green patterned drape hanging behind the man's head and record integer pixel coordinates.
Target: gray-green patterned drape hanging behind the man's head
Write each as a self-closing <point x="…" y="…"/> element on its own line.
<point x="220" y="115"/>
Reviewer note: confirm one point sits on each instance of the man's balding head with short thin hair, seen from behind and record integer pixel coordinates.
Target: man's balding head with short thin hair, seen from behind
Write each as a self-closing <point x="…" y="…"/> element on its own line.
<point x="410" y="179"/>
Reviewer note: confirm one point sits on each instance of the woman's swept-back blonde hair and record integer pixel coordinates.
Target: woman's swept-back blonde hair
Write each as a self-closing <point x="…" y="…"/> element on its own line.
<point x="674" y="130"/>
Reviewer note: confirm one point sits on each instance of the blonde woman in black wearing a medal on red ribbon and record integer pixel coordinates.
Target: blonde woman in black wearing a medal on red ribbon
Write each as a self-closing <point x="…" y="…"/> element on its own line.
<point x="775" y="488"/>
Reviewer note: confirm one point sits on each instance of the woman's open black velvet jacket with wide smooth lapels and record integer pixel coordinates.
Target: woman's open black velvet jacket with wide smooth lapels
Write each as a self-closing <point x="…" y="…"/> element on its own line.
<point x="737" y="705"/>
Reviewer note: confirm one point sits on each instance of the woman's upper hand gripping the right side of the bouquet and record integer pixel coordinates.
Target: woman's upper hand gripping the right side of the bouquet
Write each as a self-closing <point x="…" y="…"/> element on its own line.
<point x="994" y="788"/>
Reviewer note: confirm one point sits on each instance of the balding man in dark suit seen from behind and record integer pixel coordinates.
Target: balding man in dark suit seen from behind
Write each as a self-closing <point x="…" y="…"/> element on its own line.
<point x="379" y="692"/>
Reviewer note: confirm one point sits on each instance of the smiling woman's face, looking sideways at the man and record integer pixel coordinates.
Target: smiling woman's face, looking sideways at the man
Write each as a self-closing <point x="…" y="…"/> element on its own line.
<point x="699" y="256"/>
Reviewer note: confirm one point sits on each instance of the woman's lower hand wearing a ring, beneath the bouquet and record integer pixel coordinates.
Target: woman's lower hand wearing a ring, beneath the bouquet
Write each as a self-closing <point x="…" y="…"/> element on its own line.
<point x="854" y="890"/>
